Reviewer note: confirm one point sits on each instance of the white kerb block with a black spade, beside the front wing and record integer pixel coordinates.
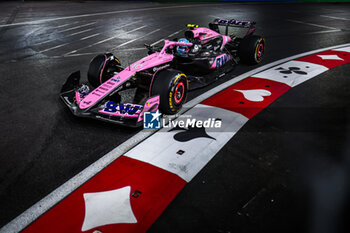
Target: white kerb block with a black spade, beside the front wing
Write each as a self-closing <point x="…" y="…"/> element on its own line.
<point x="161" y="150"/>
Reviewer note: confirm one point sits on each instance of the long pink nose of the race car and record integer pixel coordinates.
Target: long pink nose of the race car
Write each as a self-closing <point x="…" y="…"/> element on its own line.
<point x="110" y="85"/>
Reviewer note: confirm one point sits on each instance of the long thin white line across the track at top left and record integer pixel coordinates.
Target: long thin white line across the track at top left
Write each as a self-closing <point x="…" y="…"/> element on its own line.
<point x="104" y="13"/>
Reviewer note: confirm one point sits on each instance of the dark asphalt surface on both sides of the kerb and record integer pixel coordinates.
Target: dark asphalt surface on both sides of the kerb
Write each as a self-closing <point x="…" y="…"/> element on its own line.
<point x="262" y="181"/>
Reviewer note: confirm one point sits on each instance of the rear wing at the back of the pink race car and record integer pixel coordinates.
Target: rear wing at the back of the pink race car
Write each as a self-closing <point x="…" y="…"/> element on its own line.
<point x="232" y="23"/>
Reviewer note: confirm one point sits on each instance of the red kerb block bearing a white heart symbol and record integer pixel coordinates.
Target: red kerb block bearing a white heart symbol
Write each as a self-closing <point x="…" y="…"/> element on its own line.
<point x="234" y="100"/>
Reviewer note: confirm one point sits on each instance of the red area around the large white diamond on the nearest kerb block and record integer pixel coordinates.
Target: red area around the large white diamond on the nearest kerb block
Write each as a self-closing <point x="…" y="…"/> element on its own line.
<point x="157" y="187"/>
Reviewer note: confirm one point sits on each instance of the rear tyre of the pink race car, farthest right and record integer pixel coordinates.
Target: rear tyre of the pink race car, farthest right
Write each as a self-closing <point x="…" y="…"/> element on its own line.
<point x="251" y="49"/>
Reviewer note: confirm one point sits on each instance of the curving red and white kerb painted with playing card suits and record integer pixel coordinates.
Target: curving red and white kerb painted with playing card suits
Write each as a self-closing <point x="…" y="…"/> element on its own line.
<point x="130" y="194"/>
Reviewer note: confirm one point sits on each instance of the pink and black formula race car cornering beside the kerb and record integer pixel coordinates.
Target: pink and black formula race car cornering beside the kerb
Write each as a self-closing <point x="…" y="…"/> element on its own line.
<point x="162" y="79"/>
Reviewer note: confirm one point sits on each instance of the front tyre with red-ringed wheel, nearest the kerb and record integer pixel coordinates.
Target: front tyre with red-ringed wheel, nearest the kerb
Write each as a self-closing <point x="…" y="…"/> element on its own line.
<point x="171" y="86"/>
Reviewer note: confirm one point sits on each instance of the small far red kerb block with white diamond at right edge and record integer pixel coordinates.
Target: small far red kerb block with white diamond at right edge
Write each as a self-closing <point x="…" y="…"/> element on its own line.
<point x="329" y="59"/>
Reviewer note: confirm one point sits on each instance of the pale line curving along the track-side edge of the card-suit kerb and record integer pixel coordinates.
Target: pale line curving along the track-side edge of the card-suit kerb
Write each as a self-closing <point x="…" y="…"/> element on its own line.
<point x="31" y="214"/>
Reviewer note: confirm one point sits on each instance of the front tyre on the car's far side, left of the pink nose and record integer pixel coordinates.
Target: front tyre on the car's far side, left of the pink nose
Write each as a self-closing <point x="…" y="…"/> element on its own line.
<point x="102" y="67"/>
